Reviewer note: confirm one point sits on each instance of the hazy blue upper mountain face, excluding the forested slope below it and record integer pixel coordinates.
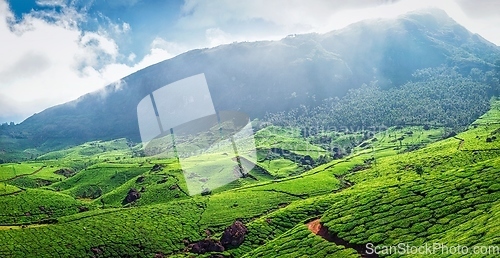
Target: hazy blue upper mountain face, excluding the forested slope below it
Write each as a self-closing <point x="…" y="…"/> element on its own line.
<point x="268" y="76"/>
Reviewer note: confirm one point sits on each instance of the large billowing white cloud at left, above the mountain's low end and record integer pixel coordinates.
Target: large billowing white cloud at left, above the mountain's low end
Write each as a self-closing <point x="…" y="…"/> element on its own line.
<point x="48" y="63"/>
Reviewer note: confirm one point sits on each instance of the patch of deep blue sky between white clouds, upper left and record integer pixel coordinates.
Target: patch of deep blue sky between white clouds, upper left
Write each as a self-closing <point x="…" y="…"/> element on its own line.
<point x="150" y="19"/>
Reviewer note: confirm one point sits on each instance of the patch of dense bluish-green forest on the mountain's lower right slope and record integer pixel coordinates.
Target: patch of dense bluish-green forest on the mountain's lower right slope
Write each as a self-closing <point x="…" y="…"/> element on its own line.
<point x="436" y="97"/>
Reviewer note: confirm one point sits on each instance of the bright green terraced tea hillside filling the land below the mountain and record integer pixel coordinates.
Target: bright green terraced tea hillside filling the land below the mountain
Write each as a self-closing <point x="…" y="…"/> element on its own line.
<point x="401" y="185"/>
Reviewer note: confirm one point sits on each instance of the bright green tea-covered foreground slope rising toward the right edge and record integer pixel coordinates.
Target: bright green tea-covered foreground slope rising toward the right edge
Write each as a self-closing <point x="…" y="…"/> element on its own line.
<point x="454" y="200"/>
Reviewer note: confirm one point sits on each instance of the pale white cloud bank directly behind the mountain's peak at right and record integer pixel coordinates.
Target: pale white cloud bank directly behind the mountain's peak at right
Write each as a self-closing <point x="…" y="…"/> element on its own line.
<point x="297" y="16"/>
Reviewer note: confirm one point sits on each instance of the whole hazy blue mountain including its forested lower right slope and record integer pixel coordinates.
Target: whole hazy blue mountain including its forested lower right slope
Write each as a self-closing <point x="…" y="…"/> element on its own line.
<point x="298" y="71"/>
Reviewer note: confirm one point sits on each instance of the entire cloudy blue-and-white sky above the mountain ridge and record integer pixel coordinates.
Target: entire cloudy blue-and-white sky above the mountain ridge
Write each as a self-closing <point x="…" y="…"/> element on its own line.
<point x="53" y="51"/>
